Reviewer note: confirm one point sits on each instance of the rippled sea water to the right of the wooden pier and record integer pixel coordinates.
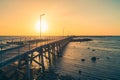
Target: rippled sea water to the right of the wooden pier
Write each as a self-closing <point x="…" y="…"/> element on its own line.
<point x="106" y="66"/>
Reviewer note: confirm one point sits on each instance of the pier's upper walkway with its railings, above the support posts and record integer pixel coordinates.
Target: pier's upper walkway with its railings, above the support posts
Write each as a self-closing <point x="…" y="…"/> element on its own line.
<point x="16" y="46"/>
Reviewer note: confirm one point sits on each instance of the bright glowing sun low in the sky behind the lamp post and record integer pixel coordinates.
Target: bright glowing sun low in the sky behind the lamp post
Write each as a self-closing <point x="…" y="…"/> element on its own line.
<point x="44" y="26"/>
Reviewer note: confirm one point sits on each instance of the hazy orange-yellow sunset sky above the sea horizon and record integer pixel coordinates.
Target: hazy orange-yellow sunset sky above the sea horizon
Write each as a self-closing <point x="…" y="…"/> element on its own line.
<point x="76" y="17"/>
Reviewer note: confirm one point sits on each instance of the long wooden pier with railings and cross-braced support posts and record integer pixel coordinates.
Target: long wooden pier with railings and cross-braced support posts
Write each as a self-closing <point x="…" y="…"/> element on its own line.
<point x="17" y="55"/>
